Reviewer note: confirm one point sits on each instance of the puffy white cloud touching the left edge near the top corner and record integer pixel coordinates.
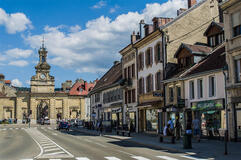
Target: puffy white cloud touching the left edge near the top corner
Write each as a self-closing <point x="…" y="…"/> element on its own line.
<point x="15" y="22"/>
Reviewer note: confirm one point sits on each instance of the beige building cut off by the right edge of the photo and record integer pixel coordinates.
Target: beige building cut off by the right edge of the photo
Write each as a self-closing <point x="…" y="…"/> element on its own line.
<point x="232" y="26"/>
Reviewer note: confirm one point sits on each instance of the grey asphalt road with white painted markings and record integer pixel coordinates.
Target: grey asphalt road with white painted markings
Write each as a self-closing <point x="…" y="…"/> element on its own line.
<point x="18" y="142"/>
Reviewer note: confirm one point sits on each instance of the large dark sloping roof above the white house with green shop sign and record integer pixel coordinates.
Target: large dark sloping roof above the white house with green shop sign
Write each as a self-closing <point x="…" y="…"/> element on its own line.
<point x="215" y="60"/>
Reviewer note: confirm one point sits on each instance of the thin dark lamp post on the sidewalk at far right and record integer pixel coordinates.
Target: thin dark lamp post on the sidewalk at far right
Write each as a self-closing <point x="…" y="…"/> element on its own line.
<point x="225" y="73"/>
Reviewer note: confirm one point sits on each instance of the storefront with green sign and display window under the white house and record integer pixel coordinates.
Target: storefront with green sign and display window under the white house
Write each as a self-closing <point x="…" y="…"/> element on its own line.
<point x="212" y="117"/>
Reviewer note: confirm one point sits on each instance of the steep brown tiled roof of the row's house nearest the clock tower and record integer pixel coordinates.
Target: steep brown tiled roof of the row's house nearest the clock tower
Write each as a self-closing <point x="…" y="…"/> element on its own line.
<point x="111" y="77"/>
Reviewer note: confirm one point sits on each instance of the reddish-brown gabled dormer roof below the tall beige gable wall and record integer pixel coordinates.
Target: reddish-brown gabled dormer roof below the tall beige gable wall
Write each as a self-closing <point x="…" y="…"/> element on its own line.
<point x="194" y="49"/>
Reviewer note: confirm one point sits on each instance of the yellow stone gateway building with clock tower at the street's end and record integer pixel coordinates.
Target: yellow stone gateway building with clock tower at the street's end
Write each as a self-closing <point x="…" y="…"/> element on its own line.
<point x="42" y="99"/>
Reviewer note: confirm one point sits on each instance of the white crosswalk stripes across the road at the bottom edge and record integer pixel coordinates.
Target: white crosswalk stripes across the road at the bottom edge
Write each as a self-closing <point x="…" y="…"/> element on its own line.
<point x="163" y="157"/>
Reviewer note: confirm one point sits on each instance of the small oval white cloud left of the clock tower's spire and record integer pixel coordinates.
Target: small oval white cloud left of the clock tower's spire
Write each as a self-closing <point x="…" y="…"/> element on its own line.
<point x="19" y="53"/>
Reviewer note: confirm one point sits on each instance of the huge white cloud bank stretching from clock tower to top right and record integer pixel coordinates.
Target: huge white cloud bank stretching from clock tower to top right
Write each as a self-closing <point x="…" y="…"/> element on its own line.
<point x="95" y="47"/>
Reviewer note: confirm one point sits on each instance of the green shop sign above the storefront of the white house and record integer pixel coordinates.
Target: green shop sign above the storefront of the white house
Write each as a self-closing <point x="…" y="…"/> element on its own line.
<point x="207" y="105"/>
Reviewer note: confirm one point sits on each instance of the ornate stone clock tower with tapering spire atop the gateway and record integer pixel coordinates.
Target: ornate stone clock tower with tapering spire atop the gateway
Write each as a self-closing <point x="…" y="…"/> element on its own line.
<point x="42" y="82"/>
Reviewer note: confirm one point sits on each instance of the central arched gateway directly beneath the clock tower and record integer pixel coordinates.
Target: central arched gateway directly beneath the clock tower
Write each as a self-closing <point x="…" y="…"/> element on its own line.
<point x="42" y="110"/>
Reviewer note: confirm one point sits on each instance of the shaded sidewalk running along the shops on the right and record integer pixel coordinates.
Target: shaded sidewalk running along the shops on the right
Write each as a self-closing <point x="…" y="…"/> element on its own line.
<point x="205" y="149"/>
